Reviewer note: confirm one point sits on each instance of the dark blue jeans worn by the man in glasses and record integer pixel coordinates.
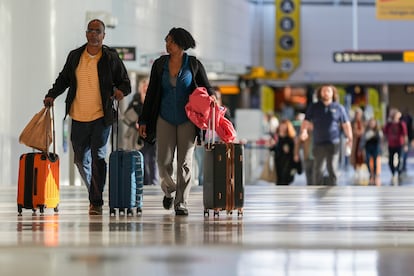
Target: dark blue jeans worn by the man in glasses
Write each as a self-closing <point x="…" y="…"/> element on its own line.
<point x="89" y="141"/>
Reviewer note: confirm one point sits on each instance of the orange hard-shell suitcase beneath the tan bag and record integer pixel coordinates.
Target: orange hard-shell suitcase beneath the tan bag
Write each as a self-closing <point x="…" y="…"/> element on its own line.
<point x="38" y="182"/>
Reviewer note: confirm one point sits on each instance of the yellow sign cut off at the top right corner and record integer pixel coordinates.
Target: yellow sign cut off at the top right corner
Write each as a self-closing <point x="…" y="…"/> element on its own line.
<point x="395" y="9"/>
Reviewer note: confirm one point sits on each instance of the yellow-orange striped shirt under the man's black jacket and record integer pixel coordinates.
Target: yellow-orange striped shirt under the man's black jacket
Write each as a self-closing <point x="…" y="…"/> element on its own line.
<point x="87" y="105"/>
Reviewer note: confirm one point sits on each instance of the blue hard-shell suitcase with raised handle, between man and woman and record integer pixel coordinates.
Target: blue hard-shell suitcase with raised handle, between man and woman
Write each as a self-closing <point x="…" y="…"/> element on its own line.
<point x="126" y="179"/>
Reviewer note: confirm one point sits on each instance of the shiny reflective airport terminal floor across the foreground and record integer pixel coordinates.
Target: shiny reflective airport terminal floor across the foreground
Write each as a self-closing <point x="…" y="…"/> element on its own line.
<point x="292" y="230"/>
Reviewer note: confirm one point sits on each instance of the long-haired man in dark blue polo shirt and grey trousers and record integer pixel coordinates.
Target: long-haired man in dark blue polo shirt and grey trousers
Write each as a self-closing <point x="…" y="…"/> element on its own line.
<point x="328" y="119"/>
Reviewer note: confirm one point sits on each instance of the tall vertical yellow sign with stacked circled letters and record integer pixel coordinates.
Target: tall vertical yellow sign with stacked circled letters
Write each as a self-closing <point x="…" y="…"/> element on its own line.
<point x="287" y="41"/>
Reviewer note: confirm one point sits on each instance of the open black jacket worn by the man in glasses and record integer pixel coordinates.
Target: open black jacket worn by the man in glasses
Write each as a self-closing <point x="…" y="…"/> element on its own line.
<point x="112" y="74"/>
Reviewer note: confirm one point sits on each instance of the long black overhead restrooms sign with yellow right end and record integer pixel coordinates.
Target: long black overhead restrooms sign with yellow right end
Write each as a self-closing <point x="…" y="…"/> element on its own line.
<point x="372" y="56"/>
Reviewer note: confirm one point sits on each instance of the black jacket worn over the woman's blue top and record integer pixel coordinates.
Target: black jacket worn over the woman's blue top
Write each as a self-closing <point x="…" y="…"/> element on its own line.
<point x="152" y="103"/>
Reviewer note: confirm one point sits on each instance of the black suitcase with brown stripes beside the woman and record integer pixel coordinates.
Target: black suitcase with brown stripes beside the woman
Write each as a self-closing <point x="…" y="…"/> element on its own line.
<point x="223" y="187"/>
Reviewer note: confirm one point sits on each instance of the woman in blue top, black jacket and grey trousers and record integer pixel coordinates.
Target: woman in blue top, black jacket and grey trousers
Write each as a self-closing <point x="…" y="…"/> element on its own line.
<point x="173" y="78"/>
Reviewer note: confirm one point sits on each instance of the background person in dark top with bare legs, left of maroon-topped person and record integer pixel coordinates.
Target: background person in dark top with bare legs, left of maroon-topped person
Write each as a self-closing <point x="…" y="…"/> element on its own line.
<point x="371" y="141"/>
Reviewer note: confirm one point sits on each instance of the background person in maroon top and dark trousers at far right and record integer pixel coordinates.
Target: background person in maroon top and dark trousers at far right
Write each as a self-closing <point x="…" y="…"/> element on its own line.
<point x="395" y="131"/>
